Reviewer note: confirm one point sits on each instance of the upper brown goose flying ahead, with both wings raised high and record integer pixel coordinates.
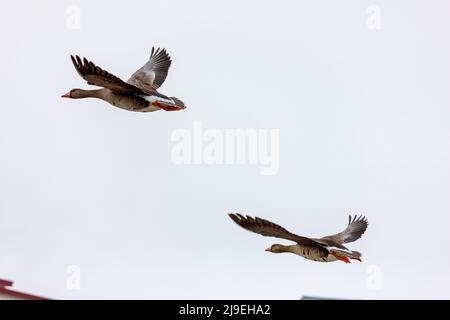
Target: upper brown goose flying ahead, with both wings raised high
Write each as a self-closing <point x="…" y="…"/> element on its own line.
<point x="139" y="93"/>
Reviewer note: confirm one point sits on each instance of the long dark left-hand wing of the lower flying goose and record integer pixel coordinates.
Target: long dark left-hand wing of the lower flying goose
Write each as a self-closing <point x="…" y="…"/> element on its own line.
<point x="268" y="229"/>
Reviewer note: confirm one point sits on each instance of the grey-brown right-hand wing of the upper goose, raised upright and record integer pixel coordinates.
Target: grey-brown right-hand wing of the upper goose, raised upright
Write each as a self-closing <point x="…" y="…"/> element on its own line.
<point x="152" y="75"/>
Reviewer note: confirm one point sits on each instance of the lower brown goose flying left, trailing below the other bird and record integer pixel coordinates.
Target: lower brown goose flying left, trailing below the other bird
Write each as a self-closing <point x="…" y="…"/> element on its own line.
<point x="326" y="249"/>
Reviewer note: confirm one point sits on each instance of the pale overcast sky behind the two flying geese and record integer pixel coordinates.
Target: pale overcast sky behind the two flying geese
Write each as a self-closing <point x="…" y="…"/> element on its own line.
<point x="363" y="118"/>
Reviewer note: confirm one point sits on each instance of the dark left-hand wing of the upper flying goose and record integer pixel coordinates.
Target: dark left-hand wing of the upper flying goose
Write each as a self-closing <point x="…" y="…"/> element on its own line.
<point x="95" y="75"/>
